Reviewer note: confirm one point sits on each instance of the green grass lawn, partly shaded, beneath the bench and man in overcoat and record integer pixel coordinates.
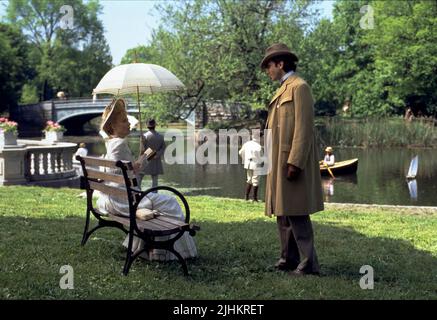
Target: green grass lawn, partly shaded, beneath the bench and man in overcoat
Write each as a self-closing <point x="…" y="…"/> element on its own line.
<point x="41" y="229"/>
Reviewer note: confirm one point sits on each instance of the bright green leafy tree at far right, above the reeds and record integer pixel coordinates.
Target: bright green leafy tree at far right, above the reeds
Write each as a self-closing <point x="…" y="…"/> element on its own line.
<point x="404" y="44"/>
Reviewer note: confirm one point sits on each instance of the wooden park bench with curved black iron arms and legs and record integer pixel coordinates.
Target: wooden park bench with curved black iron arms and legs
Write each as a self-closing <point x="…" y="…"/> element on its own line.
<point x="126" y="189"/>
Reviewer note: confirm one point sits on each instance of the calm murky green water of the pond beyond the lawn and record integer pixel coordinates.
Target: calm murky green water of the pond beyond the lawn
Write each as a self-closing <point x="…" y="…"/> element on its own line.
<point x="380" y="178"/>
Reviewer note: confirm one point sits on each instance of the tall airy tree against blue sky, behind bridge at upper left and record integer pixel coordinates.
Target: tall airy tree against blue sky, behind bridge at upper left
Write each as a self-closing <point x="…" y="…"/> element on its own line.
<point x="69" y="55"/>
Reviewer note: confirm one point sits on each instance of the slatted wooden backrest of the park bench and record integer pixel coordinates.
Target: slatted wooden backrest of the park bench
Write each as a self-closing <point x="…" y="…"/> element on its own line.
<point x="114" y="178"/>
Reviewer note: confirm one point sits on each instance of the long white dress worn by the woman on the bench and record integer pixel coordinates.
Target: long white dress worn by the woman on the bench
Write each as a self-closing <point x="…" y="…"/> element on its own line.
<point x="118" y="149"/>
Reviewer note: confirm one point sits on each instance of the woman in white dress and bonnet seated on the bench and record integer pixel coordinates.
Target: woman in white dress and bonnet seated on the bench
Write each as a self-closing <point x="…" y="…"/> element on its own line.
<point x="116" y="125"/>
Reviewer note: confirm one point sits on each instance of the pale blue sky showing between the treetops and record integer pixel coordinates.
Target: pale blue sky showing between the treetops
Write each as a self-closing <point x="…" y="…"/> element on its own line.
<point x="130" y="23"/>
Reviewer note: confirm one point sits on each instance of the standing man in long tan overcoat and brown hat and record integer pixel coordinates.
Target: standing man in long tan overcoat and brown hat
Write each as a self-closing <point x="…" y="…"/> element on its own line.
<point x="293" y="186"/>
